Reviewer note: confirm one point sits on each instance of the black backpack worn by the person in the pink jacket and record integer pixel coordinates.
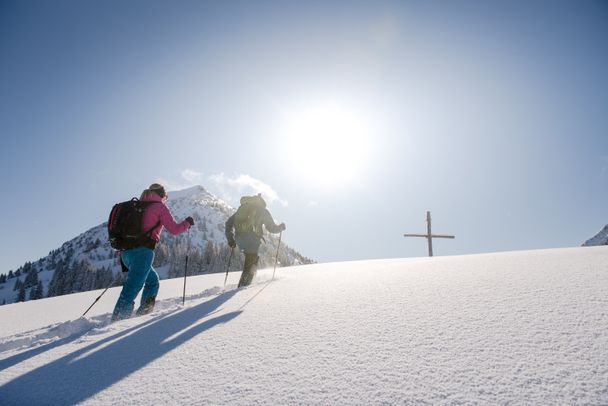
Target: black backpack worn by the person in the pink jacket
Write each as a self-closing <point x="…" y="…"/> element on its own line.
<point x="125" y="225"/>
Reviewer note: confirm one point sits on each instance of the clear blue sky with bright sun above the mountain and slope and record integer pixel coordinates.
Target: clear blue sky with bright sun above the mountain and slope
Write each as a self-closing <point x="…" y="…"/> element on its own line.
<point x="353" y="117"/>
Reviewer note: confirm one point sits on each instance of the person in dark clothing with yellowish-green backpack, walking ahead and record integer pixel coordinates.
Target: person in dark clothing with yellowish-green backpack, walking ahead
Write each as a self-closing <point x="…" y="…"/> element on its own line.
<point x="247" y="222"/>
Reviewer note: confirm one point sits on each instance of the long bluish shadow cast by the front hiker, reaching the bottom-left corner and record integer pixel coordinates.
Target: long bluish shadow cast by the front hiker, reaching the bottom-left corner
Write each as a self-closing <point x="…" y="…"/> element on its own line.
<point x="79" y="375"/>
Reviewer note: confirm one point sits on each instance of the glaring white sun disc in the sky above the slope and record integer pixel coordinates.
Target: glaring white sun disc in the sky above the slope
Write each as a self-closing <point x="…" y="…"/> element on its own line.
<point x="326" y="144"/>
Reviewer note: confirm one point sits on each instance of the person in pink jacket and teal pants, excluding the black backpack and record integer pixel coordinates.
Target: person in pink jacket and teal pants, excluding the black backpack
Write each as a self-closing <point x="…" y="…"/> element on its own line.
<point x="139" y="260"/>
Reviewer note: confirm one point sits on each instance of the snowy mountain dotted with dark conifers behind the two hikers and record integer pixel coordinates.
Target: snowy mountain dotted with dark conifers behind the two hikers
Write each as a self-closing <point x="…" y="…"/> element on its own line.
<point x="88" y="262"/>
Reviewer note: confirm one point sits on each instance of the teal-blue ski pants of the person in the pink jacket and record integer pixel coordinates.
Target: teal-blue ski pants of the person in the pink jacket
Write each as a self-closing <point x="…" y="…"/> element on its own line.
<point x="141" y="274"/>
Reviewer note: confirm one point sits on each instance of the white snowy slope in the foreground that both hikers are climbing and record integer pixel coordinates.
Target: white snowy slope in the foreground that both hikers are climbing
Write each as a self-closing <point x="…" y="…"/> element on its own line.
<point x="511" y="328"/>
